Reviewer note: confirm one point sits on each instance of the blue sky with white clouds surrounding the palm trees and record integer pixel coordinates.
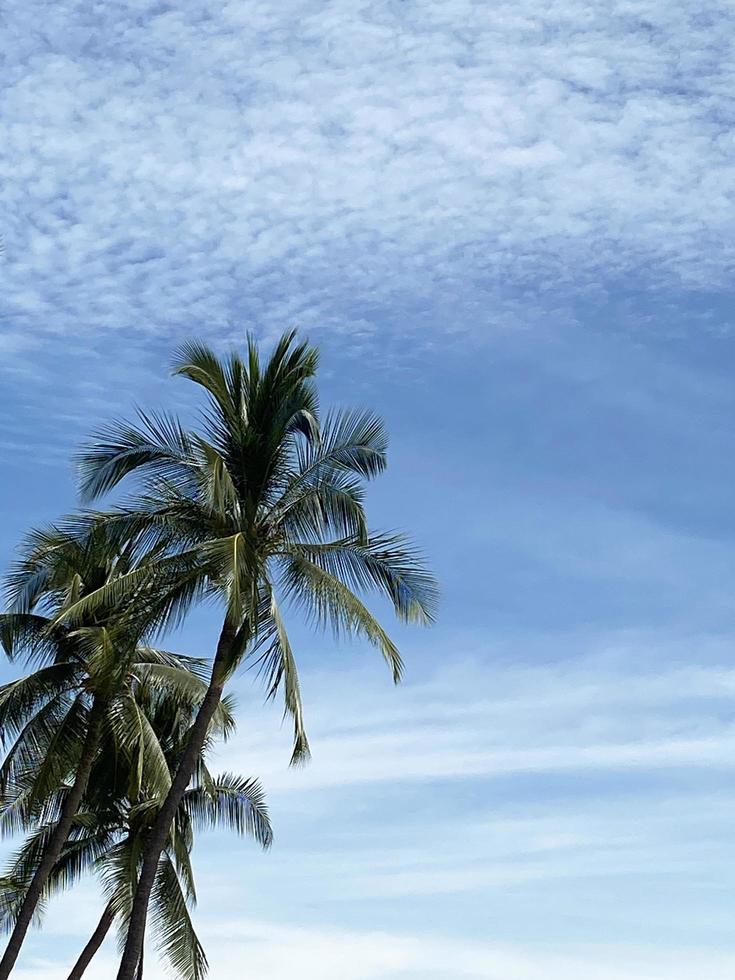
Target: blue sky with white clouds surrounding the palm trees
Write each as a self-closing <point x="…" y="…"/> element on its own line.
<point x="509" y="228"/>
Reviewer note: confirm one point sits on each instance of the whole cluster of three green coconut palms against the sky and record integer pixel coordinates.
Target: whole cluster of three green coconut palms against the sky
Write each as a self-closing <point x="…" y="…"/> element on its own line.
<point x="259" y="508"/>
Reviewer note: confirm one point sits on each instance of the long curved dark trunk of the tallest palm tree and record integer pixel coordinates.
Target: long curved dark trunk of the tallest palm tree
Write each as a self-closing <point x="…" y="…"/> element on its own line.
<point x="162" y="825"/>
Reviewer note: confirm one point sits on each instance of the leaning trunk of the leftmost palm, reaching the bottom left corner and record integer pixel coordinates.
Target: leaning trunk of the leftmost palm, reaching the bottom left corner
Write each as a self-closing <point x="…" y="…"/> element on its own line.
<point x="56" y="841"/>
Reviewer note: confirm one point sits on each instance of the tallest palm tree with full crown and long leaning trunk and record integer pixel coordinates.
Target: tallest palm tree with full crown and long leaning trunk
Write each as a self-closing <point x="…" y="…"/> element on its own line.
<point x="262" y="506"/>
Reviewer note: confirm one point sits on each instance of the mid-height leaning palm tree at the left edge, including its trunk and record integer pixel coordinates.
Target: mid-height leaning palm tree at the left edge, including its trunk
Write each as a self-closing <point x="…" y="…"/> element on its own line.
<point x="53" y="720"/>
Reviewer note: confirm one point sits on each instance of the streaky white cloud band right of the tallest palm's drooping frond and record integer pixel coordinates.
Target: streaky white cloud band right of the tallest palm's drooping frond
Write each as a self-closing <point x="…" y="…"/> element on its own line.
<point x="582" y="717"/>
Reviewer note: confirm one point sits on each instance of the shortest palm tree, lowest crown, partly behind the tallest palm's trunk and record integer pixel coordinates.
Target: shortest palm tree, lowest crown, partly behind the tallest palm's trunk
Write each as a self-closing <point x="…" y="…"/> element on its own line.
<point x="111" y="825"/>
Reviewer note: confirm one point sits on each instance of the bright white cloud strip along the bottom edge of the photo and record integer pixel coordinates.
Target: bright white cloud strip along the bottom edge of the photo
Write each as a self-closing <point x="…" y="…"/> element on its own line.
<point x="264" y="949"/>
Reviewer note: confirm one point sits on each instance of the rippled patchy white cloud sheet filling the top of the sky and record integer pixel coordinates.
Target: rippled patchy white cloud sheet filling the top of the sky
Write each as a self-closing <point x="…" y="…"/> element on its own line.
<point x="327" y="163"/>
